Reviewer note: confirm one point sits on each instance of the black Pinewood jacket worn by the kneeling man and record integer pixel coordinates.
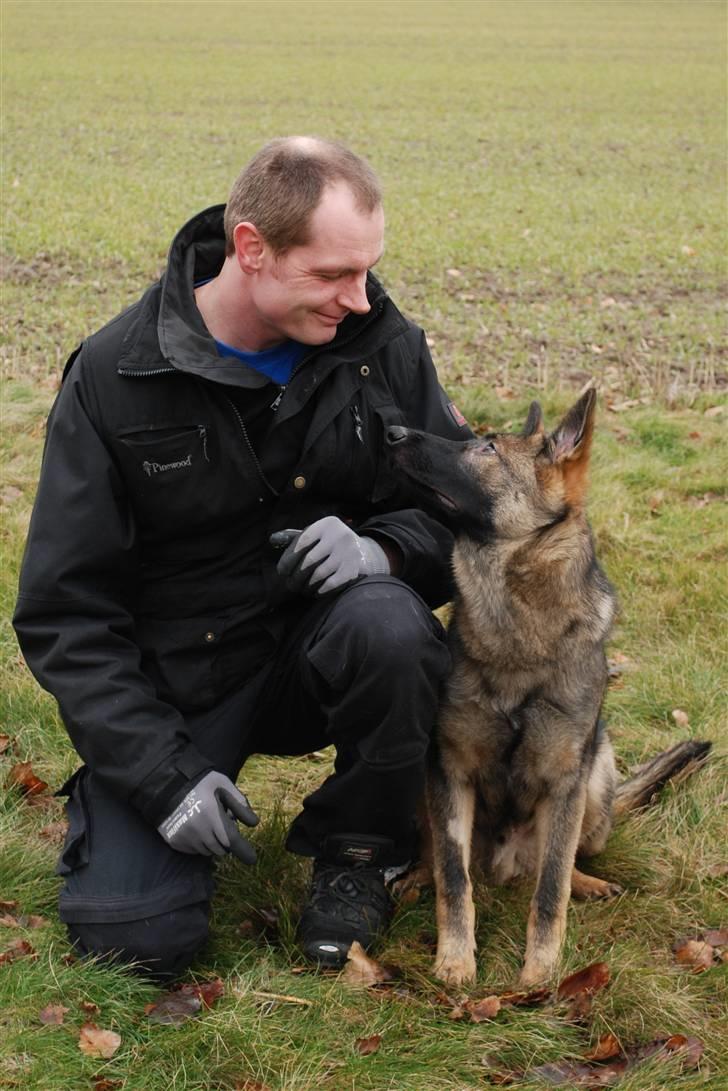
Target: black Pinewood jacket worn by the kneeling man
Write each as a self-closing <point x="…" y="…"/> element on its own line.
<point x="149" y="589"/>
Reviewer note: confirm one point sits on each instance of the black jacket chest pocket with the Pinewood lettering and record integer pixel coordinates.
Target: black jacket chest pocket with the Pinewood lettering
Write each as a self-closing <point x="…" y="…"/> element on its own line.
<point x="171" y="475"/>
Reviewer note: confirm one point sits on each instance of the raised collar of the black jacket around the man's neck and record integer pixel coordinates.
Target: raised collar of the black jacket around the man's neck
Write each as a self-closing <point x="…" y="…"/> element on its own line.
<point x="185" y="343"/>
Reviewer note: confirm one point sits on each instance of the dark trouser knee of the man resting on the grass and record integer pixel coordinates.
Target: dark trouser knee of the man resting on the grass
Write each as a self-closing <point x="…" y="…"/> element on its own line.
<point x="161" y="948"/>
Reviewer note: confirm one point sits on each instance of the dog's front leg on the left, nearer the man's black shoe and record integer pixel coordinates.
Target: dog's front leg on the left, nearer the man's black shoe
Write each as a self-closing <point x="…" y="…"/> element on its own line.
<point x="451" y="802"/>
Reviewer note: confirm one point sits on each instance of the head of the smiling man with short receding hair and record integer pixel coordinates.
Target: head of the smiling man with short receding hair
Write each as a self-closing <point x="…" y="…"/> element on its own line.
<point x="313" y="229"/>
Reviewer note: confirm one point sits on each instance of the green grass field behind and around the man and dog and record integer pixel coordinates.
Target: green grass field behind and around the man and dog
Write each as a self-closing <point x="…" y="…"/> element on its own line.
<point x="556" y="186"/>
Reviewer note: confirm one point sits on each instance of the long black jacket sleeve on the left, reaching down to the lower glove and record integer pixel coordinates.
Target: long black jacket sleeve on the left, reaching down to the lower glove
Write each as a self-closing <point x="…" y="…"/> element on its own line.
<point x="74" y="624"/>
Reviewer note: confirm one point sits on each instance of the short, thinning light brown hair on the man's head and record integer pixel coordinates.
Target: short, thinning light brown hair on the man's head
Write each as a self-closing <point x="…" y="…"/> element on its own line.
<point x="283" y="184"/>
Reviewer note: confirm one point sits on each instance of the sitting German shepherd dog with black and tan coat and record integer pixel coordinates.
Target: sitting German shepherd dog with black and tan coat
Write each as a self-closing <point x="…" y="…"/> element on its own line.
<point x="522" y="764"/>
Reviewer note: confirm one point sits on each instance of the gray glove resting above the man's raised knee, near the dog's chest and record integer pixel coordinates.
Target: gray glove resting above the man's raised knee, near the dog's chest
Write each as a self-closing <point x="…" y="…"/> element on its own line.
<point x="327" y="557"/>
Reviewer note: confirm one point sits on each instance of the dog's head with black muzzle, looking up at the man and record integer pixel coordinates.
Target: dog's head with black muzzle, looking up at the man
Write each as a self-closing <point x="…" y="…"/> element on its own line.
<point x="502" y="485"/>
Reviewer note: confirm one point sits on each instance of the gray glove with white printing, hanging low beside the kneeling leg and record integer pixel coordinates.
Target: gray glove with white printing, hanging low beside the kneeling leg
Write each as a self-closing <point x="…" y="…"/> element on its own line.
<point x="202" y="823"/>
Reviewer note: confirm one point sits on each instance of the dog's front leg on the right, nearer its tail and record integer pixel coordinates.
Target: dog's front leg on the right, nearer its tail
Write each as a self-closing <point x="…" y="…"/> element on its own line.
<point x="558" y="823"/>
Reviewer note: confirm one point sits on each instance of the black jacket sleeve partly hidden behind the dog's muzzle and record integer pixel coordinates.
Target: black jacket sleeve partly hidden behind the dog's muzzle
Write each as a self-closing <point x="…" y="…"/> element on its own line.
<point x="425" y="544"/>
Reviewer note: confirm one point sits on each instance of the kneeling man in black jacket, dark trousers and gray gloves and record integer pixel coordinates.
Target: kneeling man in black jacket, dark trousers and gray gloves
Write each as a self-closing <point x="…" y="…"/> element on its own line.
<point x="240" y="406"/>
